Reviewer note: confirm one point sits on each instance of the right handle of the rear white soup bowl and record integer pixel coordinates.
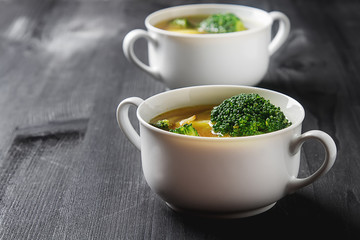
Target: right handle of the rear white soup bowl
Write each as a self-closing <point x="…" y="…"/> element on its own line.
<point x="282" y="33"/>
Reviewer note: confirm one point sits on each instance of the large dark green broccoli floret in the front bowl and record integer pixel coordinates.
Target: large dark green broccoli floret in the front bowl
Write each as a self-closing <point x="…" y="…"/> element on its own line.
<point x="246" y="115"/>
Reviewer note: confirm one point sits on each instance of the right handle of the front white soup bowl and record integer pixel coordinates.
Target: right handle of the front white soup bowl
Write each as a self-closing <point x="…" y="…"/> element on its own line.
<point x="330" y="155"/>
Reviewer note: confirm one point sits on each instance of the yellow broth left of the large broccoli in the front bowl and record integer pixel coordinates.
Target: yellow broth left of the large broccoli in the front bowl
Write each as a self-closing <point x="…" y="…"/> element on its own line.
<point x="201" y="122"/>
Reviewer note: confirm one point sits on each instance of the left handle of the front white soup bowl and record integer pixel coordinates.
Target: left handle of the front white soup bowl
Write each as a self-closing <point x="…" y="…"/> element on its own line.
<point x="122" y="117"/>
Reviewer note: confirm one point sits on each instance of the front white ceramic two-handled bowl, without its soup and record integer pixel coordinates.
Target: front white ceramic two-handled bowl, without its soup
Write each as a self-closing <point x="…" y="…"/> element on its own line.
<point x="226" y="177"/>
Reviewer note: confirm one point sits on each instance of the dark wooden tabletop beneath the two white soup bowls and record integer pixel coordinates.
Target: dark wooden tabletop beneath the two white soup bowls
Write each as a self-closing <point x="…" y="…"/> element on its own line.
<point x="68" y="172"/>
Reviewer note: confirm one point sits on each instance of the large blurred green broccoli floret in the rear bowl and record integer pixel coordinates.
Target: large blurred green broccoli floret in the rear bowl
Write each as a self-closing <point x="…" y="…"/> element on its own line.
<point x="222" y="23"/>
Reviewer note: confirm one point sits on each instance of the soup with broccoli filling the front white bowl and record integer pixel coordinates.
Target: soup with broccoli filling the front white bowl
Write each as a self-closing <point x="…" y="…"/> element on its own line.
<point x="245" y="114"/>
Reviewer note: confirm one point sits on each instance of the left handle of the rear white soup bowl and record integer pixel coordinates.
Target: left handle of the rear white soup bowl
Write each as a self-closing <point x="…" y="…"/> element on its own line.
<point x="128" y="49"/>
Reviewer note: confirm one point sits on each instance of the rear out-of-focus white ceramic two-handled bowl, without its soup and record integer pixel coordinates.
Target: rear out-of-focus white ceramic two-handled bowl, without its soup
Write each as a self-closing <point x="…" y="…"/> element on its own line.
<point x="180" y="60"/>
